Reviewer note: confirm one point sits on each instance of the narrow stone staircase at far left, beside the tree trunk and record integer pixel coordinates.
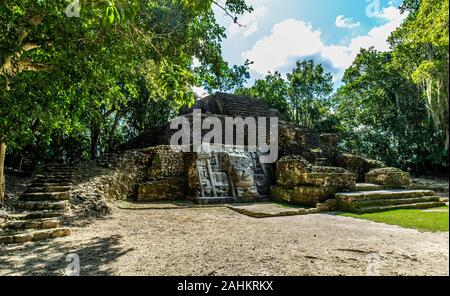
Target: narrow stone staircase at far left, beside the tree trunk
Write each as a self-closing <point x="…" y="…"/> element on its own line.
<point x="40" y="210"/>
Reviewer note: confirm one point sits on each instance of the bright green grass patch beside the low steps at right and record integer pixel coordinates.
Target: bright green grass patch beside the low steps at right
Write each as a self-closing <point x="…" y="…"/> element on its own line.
<point x="417" y="219"/>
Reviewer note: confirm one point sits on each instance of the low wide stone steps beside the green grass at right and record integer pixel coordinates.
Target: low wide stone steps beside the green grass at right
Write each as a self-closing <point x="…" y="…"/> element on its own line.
<point x="372" y="198"/>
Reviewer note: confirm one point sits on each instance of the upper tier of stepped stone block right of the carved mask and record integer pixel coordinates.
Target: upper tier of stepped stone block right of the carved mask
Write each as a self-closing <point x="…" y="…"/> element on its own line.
<point x="295" y="171"/>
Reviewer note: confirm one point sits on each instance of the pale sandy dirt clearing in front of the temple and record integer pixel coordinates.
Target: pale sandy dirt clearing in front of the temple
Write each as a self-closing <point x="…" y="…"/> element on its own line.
<point x="219" y="241"/>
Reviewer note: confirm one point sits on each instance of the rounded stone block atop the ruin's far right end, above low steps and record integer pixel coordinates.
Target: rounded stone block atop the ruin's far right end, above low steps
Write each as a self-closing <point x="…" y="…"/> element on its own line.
<point x="388" y="177"/>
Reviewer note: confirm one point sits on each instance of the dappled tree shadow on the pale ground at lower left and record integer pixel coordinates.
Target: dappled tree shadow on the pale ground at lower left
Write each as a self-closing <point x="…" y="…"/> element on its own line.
<point x="43" y="258"/>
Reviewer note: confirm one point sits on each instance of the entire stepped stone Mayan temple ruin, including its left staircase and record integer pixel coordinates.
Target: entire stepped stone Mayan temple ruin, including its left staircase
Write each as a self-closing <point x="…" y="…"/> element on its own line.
<point x="310" y="172"/>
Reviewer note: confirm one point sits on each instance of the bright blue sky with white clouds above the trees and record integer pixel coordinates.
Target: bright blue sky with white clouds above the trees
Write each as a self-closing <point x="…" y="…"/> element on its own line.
<point x="280" y="32"/>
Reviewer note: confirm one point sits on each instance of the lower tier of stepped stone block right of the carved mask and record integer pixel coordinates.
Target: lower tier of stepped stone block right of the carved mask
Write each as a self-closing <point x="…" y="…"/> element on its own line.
<point x="303" y="195"/>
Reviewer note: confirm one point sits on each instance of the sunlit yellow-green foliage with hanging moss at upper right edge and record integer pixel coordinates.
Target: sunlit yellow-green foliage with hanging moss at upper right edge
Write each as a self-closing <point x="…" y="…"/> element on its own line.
<point x="420" y="50"/>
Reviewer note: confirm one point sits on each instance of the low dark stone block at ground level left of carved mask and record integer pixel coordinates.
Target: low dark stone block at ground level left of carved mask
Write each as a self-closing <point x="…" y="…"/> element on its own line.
<point x="164" y="189"/>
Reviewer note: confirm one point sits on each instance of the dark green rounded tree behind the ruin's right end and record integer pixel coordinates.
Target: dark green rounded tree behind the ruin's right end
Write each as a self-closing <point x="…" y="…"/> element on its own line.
<point x="383" y="115"/>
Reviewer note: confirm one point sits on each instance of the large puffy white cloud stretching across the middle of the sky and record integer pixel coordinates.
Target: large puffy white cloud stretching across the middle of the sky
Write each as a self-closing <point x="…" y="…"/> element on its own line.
<point x="295" y="38"/>
